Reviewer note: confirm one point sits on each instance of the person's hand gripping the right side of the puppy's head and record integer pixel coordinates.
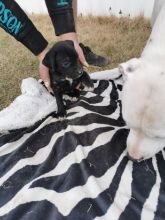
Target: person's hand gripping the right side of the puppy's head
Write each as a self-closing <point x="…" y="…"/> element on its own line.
<point x="73" y="37"/>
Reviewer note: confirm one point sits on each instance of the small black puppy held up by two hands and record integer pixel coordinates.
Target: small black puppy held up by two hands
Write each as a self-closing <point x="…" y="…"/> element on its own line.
<point x="66" y="73"/>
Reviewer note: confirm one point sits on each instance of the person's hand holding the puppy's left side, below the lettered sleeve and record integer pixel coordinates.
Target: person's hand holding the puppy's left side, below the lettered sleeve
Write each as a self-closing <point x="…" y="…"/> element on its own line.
<point x="43" y="70"/>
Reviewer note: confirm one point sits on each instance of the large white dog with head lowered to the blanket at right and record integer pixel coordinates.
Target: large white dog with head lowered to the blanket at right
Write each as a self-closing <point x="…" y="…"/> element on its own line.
<point x="143" y="95"/>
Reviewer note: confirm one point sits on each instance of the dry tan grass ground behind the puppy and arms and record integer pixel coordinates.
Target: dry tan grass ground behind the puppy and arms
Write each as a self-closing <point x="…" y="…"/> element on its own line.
<point x="118" y="38"/>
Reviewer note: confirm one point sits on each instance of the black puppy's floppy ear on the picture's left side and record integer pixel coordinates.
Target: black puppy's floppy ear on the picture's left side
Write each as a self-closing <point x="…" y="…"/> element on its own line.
<point x="49" y="60"/>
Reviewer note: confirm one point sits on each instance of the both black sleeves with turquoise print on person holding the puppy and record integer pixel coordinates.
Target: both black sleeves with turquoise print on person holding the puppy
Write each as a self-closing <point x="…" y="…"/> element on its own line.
<point x="14" y="20"/>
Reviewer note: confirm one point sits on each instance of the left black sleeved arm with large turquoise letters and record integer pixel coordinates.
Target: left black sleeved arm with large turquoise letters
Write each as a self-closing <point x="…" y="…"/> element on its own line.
<point x="14" y="21"/>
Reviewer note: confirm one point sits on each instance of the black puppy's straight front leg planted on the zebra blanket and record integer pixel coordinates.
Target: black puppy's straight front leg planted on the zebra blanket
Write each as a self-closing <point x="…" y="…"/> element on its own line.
<point x="61" y="112"/>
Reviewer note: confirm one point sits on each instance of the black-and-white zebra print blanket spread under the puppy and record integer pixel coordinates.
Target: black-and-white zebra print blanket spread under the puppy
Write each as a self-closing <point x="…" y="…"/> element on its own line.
<point x="77" y="168"/>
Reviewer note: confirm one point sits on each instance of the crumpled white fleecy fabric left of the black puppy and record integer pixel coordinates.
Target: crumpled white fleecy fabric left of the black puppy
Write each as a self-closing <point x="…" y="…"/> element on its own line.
<point x="32" y="105"/>
